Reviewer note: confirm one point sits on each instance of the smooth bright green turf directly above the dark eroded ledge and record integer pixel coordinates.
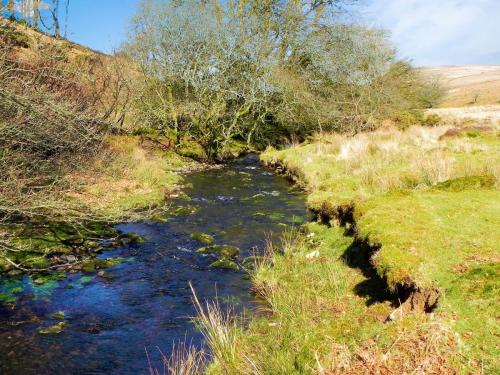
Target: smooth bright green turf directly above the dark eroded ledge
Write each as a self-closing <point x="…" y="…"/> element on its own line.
<point x="425" y="234"/>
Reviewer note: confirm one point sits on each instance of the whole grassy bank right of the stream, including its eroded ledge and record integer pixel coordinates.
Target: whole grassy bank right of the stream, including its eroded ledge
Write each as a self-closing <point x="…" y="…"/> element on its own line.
<point x="404" y="275"/>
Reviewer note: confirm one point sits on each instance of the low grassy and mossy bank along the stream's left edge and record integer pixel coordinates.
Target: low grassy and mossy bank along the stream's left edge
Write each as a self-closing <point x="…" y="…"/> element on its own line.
<point x="129" y="180"/>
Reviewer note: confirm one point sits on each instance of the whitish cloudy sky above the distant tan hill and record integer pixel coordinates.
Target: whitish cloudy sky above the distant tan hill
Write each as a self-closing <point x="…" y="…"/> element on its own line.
<point x="441" y="32"/>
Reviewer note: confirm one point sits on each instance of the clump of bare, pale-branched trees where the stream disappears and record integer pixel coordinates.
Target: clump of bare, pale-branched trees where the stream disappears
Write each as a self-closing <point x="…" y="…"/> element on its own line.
<point x="262" y="72"/>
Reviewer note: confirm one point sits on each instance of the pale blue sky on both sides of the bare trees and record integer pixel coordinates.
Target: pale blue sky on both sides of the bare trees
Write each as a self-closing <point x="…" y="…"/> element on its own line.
<point x="430" y="32"/>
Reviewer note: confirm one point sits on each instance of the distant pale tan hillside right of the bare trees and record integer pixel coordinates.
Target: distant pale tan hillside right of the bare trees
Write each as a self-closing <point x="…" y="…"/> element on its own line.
<point x="468" y="84"/>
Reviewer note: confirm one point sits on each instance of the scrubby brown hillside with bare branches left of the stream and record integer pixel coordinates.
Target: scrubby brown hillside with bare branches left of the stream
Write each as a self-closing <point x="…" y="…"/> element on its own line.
<point x="67" y="172"/>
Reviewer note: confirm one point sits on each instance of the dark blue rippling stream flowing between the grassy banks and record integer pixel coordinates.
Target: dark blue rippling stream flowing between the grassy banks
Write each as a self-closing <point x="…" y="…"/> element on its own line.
<point x="110" y="323"/>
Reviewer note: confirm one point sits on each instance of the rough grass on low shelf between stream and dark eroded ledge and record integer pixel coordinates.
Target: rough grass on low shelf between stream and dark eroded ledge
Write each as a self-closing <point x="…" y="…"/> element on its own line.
<point x="316" y="317"/>
